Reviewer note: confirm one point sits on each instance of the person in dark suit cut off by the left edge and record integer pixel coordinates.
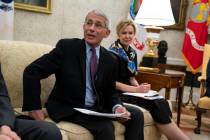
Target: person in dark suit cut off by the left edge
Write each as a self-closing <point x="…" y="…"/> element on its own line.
<point x="12" y="128"/>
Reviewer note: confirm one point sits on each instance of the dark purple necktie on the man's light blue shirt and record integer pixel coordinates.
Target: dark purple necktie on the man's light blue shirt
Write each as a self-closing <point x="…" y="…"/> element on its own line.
<point x="93" y="64"/>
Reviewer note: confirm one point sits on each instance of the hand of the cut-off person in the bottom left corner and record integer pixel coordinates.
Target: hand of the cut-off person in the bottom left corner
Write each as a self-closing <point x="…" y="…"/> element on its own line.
<point x="7" y="134"/>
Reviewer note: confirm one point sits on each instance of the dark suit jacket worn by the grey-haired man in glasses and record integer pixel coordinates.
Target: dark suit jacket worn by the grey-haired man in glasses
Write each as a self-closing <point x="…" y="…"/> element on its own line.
<point x="68" y="62"/>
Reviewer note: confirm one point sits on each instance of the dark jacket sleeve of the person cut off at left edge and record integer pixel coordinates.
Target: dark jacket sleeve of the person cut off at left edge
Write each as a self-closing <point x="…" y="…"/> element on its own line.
<point x="7" y="116"/>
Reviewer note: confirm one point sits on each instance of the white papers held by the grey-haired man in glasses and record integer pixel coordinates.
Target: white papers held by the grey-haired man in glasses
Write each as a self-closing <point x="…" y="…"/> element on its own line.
<point x="94" y="113"/>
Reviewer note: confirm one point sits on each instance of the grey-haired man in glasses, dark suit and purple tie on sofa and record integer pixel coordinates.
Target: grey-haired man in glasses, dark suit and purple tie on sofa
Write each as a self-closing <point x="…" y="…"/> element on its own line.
<point x="85" y="78"/>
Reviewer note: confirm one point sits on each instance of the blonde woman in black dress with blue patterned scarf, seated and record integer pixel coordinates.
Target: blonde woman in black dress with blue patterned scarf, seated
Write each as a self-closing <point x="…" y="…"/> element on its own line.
<point x="127" y="61"/>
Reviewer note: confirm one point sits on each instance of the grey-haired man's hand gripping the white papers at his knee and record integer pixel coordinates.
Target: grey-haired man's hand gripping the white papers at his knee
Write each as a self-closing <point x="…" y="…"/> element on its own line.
<point x="125" y="116"/>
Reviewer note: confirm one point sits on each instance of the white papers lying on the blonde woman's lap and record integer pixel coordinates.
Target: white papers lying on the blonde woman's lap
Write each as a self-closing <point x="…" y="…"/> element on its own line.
<point x="150" y="95"/>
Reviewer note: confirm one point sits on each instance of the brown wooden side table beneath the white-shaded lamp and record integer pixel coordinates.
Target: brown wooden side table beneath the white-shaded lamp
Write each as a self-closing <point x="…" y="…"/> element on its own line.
<point x="169" y="79"/>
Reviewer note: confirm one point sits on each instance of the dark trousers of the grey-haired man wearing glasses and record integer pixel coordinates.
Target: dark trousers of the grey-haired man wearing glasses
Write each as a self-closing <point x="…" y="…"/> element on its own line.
<point x="103" y="129"/>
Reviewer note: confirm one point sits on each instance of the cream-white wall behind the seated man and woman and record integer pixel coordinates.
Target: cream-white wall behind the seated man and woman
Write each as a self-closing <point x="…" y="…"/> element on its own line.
<point x="68" y="16"/>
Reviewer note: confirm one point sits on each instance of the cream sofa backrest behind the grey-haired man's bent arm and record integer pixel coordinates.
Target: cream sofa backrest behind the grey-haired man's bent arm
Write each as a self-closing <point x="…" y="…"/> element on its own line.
<point x="14" y="57"/>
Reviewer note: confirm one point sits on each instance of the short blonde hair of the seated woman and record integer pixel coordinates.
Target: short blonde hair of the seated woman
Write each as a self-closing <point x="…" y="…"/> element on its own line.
<point x="125" y="23"/>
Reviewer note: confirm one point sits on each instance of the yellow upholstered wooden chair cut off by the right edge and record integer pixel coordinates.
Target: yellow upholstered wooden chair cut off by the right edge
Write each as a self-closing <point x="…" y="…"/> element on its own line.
<point x="204" y="101"/>
